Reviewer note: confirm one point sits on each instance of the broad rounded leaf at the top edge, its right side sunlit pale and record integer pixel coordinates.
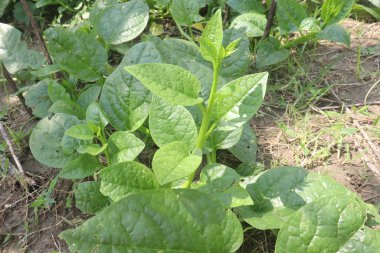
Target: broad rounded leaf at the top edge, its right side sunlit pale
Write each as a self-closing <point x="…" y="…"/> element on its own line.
<point x="128" y="21"/>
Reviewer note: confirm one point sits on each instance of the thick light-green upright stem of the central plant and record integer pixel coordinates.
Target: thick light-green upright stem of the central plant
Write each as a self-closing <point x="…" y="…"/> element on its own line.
<point x="202" y="137"/>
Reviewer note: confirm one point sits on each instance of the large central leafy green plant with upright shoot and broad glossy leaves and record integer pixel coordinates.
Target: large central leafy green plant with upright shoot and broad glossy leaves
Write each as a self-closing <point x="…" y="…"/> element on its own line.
<point x="166" y="208"/>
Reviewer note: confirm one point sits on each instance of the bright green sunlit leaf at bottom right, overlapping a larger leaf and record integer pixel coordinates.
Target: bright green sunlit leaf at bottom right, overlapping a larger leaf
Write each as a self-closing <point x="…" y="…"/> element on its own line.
<point x="321" y="226"/>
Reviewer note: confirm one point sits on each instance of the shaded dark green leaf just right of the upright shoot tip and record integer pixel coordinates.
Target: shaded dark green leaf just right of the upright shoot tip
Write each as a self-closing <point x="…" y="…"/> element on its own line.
<point x="238" y="63"/>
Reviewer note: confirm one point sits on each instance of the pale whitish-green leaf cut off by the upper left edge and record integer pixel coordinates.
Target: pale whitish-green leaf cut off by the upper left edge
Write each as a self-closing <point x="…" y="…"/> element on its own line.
<point x="14" y="53"/>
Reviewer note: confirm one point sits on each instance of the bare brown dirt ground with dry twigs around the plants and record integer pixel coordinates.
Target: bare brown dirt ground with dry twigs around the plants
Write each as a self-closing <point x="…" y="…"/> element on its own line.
<point x="37" y="231"/>
